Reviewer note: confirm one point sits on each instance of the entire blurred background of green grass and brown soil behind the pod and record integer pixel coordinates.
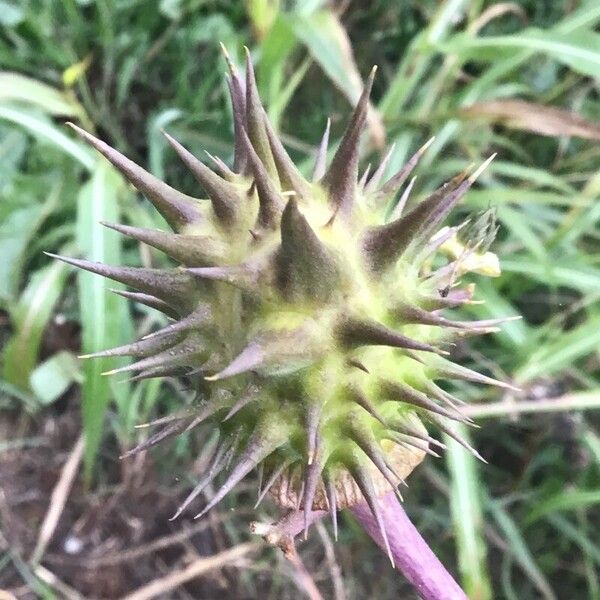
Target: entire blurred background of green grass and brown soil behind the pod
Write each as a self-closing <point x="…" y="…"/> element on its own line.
<point x="517" y="78"/>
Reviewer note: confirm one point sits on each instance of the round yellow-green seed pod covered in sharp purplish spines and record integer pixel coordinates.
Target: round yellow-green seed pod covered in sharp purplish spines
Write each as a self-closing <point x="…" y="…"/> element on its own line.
<point x="309" y="324"/>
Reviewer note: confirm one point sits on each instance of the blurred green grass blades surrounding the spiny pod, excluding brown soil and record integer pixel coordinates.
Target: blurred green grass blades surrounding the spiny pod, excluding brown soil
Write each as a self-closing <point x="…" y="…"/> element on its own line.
<point x="128" y="69"/>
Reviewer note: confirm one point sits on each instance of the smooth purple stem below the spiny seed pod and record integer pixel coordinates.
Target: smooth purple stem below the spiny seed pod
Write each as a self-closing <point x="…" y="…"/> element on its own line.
<point x="411" y="553"/>
